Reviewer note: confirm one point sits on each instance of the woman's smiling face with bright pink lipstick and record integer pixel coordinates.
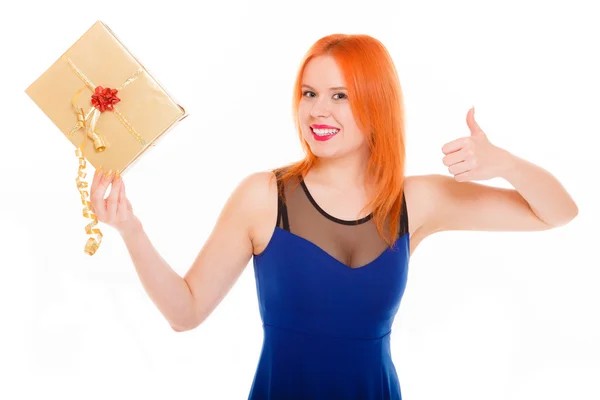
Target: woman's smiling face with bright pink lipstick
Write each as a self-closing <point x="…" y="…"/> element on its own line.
<point x="326" y="120"/>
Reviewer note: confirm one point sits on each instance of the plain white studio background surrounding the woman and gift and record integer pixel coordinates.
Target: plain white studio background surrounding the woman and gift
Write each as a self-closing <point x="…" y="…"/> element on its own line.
<point x="484" y="316"/>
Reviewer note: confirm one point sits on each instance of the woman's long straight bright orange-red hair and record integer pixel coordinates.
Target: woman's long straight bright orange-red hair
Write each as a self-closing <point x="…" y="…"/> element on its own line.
<point x="376" y="101"/>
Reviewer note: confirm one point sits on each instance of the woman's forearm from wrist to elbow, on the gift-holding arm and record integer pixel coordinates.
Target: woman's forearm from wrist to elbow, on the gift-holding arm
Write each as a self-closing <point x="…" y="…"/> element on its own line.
<point x="167" y="290"/>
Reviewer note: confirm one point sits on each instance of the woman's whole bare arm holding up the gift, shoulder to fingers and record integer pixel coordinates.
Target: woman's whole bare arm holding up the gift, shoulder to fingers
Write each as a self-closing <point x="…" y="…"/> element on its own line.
<point x="187" y="301"/>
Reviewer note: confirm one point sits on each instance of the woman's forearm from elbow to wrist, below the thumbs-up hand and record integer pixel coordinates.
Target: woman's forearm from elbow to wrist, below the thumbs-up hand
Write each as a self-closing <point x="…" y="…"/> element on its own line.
<point x="546" y="196"/>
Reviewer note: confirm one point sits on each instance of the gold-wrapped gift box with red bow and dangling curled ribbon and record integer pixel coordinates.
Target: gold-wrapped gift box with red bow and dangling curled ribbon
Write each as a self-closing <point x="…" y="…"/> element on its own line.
<point x="106" y="104"/>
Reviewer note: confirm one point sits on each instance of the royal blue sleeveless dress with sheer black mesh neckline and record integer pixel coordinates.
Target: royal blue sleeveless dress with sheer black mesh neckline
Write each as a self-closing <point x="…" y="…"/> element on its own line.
<point x="327" y="314"/>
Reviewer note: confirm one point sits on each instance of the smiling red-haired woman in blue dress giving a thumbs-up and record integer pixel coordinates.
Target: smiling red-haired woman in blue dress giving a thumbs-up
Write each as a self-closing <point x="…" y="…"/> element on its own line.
<point x="330" y="235"/>
